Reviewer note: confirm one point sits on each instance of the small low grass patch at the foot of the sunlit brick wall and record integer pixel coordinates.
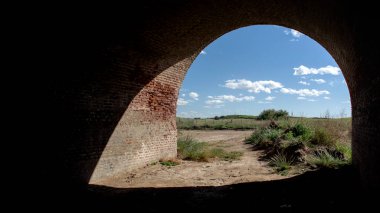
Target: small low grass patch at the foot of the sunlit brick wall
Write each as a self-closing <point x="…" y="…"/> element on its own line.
<point x="190" y="149"/>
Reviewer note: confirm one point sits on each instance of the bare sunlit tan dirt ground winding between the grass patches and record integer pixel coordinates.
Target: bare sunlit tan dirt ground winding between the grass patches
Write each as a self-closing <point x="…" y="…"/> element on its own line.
<point x="214" y="173"/>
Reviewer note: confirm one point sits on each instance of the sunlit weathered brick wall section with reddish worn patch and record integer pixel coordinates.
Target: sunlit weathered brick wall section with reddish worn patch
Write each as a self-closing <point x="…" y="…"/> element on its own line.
<point x="147" y="131"/>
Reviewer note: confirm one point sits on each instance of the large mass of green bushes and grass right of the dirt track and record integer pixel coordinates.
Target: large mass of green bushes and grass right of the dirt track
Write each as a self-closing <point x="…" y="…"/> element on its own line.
<point x="322" y="144"/>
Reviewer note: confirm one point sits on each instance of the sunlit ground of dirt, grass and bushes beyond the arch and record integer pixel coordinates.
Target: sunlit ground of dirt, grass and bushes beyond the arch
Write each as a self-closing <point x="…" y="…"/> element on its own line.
<point x="238" y="149"/>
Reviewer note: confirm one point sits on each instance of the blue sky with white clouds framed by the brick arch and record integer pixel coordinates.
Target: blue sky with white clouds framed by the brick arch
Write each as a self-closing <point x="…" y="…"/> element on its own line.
<point x="260" y="67"/>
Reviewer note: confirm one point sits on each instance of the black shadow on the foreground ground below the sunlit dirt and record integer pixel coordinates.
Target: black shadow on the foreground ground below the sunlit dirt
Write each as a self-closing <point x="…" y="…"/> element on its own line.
<point x="324" y="190"/>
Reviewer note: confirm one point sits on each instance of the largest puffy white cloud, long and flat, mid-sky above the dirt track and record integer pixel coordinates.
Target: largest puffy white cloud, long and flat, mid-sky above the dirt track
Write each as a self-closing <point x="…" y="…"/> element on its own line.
<point x="256" y="86"/>
